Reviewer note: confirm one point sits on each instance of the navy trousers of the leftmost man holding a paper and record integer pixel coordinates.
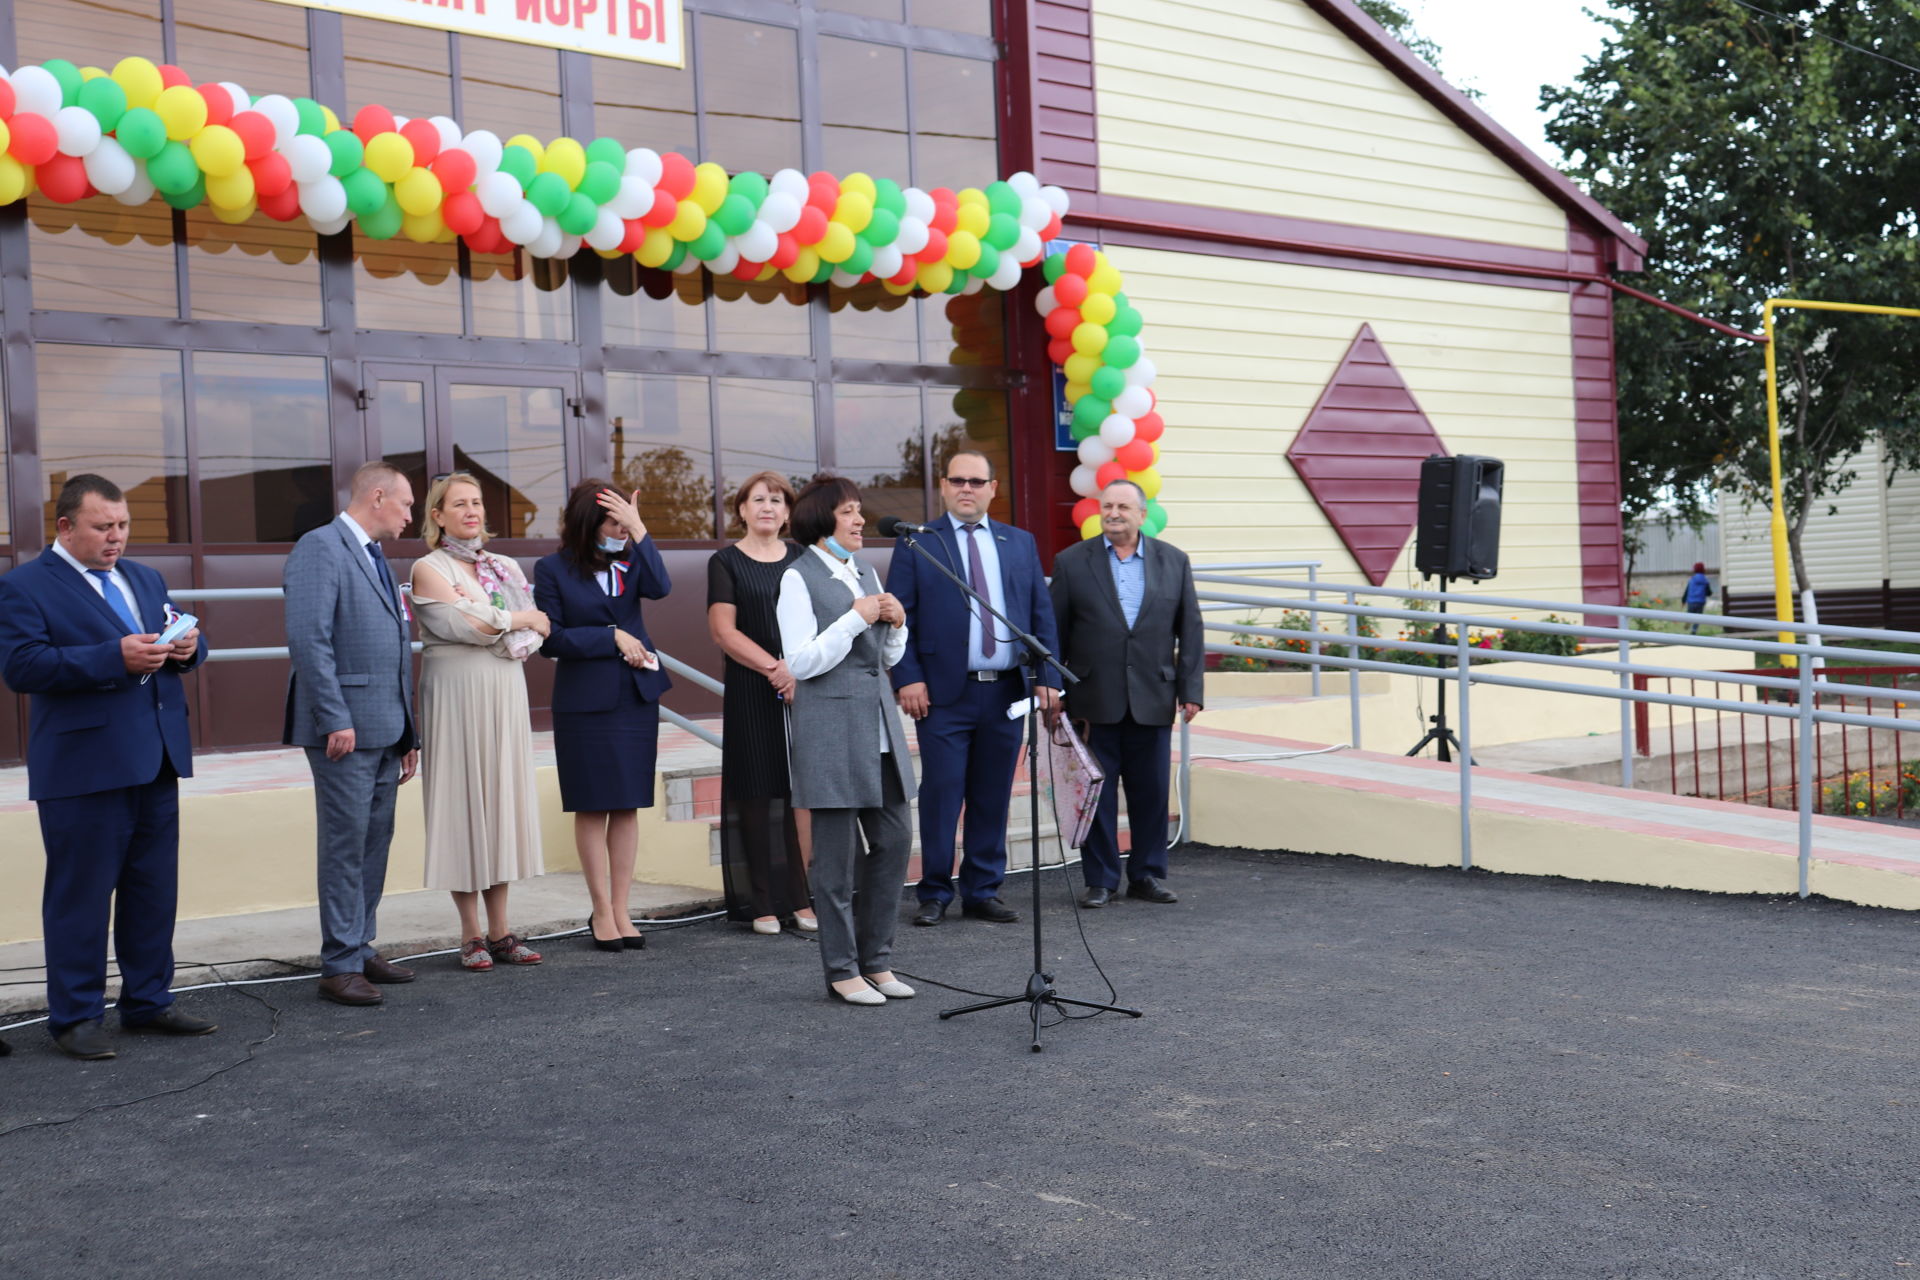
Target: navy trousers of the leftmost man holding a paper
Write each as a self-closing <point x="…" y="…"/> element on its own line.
<point x="110" y="855"/>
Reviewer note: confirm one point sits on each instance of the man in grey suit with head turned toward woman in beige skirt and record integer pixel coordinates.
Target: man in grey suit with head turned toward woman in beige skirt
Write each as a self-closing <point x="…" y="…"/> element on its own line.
<point x="350" y="705"/>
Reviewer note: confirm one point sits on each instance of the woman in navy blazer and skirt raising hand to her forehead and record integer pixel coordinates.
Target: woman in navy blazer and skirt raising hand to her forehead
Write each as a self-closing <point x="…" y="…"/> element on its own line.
<point x="606" y="692"/>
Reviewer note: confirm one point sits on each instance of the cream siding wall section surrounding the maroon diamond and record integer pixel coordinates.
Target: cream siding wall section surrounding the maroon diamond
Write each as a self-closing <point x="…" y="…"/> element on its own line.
<point x="1245" y="348"/>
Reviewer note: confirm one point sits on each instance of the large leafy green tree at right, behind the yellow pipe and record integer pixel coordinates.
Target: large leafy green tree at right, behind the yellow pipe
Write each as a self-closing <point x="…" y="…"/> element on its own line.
<point x="1762" y="158"/>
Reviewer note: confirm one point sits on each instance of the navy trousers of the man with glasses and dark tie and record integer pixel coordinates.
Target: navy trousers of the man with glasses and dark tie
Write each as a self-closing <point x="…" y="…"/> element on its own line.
<point x="969" y="753"/>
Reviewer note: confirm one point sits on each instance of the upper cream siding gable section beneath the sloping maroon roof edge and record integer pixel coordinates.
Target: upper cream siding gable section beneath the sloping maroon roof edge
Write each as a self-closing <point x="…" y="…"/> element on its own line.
<point x="1264" y="107"/>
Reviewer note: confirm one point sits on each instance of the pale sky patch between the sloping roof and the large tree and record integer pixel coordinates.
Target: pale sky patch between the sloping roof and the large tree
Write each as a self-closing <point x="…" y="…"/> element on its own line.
<point x="1508" y="49"/>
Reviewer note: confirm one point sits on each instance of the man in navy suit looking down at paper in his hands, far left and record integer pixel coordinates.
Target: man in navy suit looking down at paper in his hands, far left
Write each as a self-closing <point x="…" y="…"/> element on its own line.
<point x="107" y="747"/>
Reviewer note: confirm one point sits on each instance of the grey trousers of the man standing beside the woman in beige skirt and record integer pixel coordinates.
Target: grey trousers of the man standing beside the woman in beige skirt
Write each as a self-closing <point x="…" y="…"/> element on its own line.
<point x="354" y="805"/>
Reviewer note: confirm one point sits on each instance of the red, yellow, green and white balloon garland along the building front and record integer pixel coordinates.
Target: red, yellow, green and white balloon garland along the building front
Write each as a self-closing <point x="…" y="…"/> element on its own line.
<point x="145" y="130"/>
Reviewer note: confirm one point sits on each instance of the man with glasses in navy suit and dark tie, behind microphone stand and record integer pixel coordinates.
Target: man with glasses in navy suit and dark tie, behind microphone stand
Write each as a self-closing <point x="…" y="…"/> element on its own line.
<point x="959" y="676"/>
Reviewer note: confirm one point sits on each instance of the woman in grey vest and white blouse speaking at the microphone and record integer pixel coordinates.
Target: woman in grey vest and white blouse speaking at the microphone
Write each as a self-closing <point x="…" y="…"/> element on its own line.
<point x="848" y="749"/>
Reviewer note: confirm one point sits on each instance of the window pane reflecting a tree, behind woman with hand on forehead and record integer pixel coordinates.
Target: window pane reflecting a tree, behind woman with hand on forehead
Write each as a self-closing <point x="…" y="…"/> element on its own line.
<point x="663" y="444"/>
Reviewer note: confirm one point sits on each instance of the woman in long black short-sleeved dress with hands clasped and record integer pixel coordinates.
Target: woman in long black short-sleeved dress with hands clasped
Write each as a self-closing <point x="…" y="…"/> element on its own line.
<point x="761" y="836"/>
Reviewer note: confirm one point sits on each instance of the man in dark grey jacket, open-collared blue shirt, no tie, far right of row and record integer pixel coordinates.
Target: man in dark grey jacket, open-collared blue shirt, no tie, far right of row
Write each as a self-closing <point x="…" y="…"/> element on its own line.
<point x="1130" y="628"/>
